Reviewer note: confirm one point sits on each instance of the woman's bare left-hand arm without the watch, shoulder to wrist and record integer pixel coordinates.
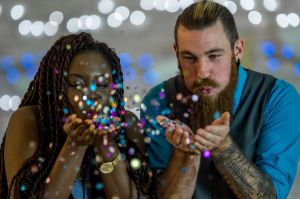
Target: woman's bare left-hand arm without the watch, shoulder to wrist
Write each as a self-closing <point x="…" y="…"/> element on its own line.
<point x="22" y="138"/>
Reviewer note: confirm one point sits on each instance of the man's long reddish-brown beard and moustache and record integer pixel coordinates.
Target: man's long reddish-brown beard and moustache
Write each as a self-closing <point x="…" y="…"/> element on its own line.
<point x="206" y="109"/>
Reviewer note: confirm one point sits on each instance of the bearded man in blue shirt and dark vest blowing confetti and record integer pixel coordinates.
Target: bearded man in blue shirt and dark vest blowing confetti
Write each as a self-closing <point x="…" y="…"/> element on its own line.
<point x="218" y="130"/>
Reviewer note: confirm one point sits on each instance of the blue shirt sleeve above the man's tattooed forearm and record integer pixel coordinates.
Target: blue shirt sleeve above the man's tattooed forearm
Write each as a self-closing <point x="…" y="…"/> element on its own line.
<point x="278" y="147"/>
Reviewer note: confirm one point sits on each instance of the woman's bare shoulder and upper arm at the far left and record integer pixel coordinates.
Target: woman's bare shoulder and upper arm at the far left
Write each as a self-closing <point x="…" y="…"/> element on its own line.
<point x="21" y="139"/>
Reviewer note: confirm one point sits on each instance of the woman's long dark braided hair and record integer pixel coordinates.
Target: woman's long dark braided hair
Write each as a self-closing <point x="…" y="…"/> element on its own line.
<point x="48" y="91"/>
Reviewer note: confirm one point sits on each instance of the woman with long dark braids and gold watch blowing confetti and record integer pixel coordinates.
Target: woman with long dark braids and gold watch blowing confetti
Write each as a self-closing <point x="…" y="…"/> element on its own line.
<point x="71" y="136"/>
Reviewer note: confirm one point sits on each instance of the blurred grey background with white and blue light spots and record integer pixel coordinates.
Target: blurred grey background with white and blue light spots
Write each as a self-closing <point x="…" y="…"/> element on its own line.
<point x="141" y="31"/>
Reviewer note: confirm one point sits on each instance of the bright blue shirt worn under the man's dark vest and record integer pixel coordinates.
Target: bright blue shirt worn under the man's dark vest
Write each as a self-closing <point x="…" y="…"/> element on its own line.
<point x="278" y="146"/>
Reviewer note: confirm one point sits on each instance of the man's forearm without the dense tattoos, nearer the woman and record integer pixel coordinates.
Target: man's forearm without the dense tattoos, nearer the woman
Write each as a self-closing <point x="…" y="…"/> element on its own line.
<point x="180" y="177"/>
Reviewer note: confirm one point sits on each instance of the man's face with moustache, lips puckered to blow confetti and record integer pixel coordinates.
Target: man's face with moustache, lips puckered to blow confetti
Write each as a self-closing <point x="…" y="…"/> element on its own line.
<point x="205" y="58"/>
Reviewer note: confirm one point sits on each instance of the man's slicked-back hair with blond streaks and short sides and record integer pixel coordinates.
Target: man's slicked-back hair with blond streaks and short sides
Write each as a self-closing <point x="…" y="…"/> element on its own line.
<point x="206" y="13"/>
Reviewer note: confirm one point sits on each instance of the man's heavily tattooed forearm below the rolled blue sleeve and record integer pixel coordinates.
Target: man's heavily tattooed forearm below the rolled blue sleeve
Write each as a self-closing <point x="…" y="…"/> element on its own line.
<point x="242" y="176"/>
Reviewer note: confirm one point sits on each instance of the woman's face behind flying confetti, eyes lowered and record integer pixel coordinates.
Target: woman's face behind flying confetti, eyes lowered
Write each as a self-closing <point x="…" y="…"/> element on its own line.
<point x="90" y="84"/>
